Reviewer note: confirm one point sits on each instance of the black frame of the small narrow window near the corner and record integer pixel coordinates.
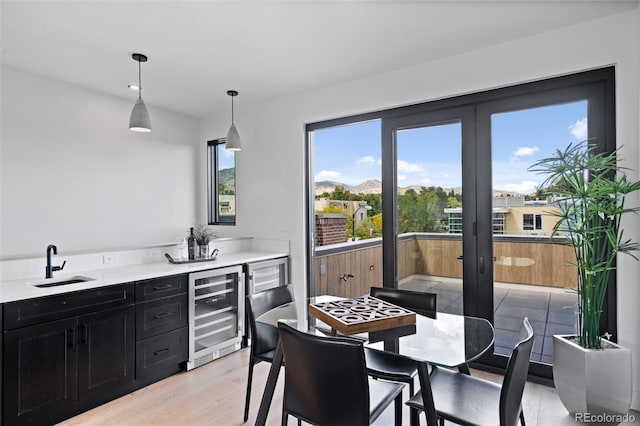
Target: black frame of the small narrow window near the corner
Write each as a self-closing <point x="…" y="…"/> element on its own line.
<point x="213" y="196"/>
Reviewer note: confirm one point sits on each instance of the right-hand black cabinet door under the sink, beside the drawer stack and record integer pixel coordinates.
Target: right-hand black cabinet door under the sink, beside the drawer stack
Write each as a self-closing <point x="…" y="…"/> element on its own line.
<point x="106" y="354"/>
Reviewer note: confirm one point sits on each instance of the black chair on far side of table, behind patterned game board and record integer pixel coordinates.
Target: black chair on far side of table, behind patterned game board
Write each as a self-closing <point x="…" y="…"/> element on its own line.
<point x="383" y="365"/>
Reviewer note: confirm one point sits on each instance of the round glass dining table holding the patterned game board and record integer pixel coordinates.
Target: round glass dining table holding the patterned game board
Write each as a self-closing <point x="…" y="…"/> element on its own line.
<point x="446" y="340"/>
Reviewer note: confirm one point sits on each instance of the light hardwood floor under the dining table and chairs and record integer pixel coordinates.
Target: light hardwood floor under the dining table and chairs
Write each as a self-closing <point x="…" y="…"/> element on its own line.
<point x="214" y="395"/>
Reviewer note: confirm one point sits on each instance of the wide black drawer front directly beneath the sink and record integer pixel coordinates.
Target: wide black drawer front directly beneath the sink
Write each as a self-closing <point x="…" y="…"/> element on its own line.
<point x="44" y="309"/>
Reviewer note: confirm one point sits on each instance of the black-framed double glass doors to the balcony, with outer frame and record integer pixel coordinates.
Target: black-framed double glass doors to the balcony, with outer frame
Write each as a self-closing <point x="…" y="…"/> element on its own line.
<point x="462" y="215"/>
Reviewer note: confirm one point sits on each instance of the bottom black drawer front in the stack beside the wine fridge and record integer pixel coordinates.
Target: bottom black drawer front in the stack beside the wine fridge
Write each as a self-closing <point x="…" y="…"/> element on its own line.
<point x="163" y="352"/>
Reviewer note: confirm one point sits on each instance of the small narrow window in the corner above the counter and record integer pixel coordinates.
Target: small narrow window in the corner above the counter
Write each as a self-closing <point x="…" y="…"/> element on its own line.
<point x="221" y="178"/>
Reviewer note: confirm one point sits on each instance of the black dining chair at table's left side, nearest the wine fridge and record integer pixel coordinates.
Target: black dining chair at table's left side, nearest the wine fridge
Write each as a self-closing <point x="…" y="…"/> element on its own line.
<point x="264" y="338"/>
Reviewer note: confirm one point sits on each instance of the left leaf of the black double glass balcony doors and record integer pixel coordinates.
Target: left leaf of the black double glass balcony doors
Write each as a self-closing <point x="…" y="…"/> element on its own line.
<point x="424" y="256"/>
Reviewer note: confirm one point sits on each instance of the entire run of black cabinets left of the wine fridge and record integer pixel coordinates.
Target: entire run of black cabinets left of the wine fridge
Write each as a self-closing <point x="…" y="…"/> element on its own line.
<point x="67" y="353"/>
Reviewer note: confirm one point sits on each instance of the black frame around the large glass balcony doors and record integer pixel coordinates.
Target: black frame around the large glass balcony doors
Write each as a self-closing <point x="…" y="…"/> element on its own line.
<point x="597" y="86"/>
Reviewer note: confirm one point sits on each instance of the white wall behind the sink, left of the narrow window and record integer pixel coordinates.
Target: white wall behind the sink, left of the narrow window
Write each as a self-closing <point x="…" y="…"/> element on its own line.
<point x="72" y="174"/>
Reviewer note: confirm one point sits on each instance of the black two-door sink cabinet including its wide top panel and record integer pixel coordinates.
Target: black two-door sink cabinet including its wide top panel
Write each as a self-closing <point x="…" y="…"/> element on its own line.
<point x="77" y="359"/>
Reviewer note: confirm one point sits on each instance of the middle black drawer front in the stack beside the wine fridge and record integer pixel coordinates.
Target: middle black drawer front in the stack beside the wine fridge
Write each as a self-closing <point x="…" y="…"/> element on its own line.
<point x="162" y="315"/>
